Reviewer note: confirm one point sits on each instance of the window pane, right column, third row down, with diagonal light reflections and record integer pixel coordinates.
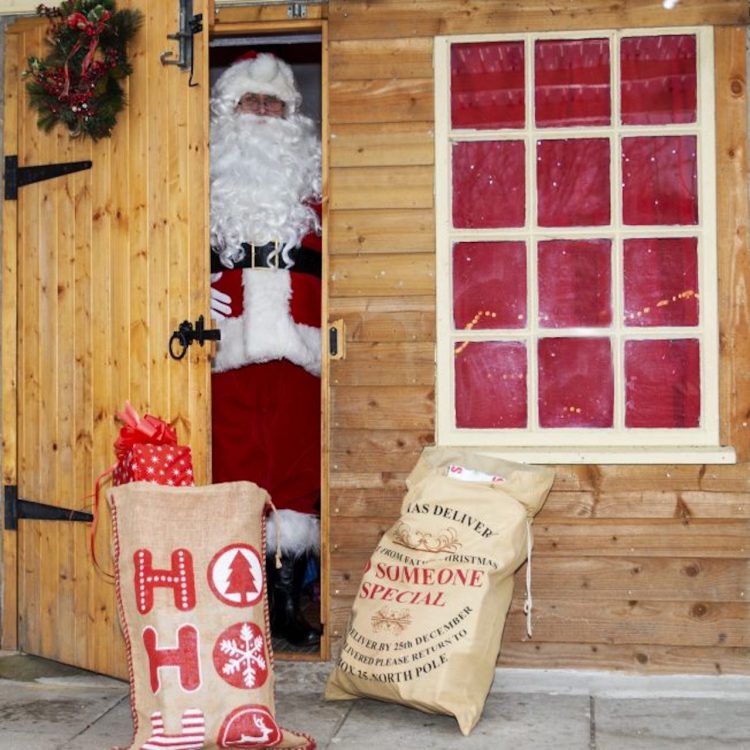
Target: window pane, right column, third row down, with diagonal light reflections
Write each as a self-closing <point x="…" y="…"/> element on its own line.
<point x="661" y="282"/>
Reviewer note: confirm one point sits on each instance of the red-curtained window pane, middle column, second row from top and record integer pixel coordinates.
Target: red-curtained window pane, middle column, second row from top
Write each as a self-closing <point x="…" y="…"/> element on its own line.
<point x="573" y="182"/>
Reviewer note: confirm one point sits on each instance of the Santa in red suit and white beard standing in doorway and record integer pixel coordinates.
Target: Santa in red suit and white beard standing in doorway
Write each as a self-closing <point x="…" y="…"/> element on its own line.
<point x="265" y="191"/>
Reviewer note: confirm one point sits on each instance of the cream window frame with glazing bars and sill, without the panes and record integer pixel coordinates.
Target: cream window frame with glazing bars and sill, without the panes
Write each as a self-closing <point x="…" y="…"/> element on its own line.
<point x="582" y="445"/>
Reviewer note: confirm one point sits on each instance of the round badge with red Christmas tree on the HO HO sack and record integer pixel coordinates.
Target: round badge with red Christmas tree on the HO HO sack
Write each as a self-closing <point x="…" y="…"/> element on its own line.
<point x="235" y="575"/>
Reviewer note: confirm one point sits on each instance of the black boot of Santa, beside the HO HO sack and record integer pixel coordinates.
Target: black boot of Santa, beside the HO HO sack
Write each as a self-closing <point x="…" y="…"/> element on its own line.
<point x="284" y="592"/>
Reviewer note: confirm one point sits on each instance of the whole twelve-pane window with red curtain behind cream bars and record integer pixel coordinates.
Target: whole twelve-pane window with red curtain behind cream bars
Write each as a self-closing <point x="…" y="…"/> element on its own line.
<point x="577" y="300"/>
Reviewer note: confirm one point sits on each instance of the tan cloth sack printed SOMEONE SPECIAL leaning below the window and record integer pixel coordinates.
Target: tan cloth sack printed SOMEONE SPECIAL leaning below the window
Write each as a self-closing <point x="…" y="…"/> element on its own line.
<point x="427" y="621"/>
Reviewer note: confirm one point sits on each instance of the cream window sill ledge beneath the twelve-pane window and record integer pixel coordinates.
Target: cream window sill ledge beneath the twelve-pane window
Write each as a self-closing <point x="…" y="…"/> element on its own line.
<point x="617" y="455"/>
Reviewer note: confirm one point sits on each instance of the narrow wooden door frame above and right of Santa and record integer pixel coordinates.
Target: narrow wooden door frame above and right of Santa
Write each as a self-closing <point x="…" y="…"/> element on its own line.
<point x="235" y="21"/>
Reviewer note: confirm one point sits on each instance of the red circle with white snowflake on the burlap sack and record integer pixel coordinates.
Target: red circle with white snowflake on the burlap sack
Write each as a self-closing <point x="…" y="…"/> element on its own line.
<point x="240" y="656"/>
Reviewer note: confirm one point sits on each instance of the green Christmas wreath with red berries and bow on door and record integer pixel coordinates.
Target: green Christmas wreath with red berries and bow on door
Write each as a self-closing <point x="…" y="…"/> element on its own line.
<point x="78" y="82"/>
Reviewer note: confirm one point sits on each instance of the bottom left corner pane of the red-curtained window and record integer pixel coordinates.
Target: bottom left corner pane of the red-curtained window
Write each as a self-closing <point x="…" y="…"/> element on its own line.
<point x="490" y="384"/>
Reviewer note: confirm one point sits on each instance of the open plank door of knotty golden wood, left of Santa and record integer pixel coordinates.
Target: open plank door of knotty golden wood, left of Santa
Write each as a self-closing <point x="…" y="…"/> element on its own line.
<point x="100" y="267"/>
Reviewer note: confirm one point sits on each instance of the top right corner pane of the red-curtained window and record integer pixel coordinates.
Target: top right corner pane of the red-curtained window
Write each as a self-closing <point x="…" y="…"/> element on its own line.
<point x="658" y="79"/>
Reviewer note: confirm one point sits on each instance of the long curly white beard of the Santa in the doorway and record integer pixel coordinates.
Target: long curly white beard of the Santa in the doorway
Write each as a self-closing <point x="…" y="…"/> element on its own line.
<point x="264" y="173"/>
